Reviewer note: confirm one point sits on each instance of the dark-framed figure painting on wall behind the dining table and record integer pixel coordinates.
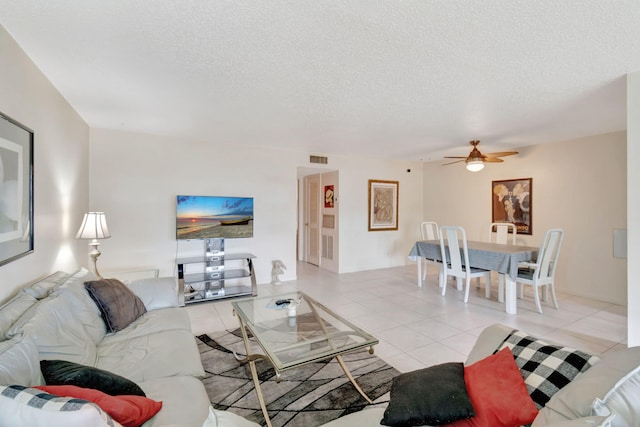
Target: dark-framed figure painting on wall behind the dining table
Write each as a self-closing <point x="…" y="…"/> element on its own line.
<point x="511" y="201"/>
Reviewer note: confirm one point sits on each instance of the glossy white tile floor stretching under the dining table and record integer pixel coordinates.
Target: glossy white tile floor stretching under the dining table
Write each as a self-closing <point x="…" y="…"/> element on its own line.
<point x="417" y="327"/>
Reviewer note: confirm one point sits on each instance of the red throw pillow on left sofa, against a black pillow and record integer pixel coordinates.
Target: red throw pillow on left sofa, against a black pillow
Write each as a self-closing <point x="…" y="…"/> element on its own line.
<point x="128" y="410"/>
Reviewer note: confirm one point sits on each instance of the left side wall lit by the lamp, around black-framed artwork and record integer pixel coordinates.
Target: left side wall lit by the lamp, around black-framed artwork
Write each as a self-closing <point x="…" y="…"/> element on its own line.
<point x="61" y="162"/>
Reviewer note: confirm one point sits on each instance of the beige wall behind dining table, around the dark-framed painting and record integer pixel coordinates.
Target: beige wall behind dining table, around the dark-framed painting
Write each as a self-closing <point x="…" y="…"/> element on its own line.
<point x="588" y="202"/>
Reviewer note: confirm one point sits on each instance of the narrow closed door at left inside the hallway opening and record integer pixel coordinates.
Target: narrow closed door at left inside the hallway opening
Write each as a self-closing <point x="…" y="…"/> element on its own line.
<point x="312" y="219"/>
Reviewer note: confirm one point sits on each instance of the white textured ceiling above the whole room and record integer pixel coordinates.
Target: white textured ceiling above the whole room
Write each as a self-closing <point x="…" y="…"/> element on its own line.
<point x="411" y="79"/>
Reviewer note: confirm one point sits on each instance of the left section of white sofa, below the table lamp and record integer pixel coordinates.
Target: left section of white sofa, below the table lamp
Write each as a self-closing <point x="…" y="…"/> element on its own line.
<point x="56" y="319"/>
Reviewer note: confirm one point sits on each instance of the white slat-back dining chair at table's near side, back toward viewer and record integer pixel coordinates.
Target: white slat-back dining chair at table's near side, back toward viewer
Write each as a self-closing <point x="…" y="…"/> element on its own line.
<point x="453" y="246"/>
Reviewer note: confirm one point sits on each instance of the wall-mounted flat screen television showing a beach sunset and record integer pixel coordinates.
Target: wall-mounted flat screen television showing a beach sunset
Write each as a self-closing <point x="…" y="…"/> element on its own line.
<point x="208" y="217"/>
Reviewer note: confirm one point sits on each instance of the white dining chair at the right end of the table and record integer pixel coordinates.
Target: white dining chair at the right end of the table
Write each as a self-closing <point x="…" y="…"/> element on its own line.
<point x="541" y="273"/>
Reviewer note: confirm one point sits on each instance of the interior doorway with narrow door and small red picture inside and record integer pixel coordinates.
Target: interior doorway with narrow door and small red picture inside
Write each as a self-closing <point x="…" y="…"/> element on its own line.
<point x="318" y="223"/>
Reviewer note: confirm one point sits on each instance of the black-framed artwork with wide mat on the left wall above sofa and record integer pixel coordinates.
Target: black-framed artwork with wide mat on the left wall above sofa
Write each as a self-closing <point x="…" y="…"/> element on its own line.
<point x="16" y="190"/>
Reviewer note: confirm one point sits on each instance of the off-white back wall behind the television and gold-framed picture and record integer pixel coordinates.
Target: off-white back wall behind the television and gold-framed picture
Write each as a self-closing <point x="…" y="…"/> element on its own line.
<point x="135" y="179"/>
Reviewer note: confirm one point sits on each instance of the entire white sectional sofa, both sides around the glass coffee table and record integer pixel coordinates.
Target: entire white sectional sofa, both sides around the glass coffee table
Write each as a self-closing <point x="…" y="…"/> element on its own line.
<point x="56" y="318"/>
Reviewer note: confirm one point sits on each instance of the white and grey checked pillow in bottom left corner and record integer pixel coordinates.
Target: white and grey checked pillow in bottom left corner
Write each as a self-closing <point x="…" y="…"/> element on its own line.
<point x="23" y="406"/>
